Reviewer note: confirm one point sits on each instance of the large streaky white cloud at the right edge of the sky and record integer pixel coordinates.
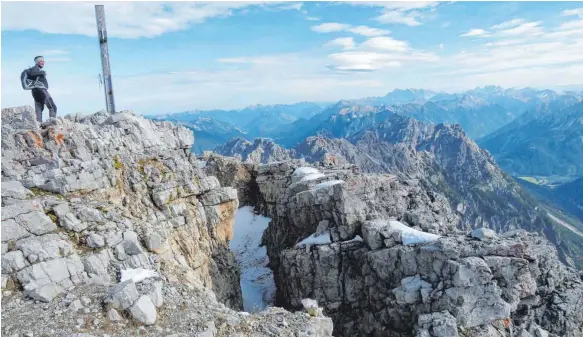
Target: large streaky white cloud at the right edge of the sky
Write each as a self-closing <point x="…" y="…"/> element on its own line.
<point x="517" y="46"/>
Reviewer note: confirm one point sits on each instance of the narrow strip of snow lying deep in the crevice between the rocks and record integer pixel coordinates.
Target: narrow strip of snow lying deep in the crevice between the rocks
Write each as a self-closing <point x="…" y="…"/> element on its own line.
<point x="257" y="283"/>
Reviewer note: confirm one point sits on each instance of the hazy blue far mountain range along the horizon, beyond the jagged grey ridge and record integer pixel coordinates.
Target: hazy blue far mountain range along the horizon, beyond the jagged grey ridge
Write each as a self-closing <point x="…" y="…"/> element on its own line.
<point x="480" y="112"/>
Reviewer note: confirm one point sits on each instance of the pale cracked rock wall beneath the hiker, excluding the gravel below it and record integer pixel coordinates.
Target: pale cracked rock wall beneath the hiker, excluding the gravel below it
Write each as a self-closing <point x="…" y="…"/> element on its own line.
<point x="125" y="189"/>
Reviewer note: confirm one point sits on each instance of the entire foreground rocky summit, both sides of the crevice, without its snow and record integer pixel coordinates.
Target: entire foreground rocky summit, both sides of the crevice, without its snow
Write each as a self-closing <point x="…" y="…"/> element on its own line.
<point x="112" y="227"/>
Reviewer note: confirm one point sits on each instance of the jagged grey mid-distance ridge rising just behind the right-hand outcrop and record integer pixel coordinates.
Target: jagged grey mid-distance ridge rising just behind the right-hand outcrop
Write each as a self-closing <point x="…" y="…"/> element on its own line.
<point x="444" y="160"/>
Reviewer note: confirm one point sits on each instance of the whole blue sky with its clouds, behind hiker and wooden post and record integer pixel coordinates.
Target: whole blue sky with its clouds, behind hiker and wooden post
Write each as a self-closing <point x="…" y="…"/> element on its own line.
<point x="168" y="57"/>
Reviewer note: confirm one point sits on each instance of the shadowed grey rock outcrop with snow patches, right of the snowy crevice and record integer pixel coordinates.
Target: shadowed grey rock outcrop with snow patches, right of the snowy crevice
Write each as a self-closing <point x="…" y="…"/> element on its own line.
<point x="383" y="257"/>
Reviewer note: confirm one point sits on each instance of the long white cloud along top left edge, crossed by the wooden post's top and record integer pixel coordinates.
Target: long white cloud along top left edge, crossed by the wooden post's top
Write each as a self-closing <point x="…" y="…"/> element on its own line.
<point x="123" y="19"/>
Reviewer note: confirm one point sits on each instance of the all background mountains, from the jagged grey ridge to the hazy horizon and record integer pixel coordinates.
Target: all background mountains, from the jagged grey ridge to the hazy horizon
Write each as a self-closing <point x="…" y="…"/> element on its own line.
<point x="465" y="146"/>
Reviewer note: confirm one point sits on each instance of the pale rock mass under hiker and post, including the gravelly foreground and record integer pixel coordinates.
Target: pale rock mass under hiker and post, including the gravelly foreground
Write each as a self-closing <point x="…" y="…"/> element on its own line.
<point x="91" y="202"/>
